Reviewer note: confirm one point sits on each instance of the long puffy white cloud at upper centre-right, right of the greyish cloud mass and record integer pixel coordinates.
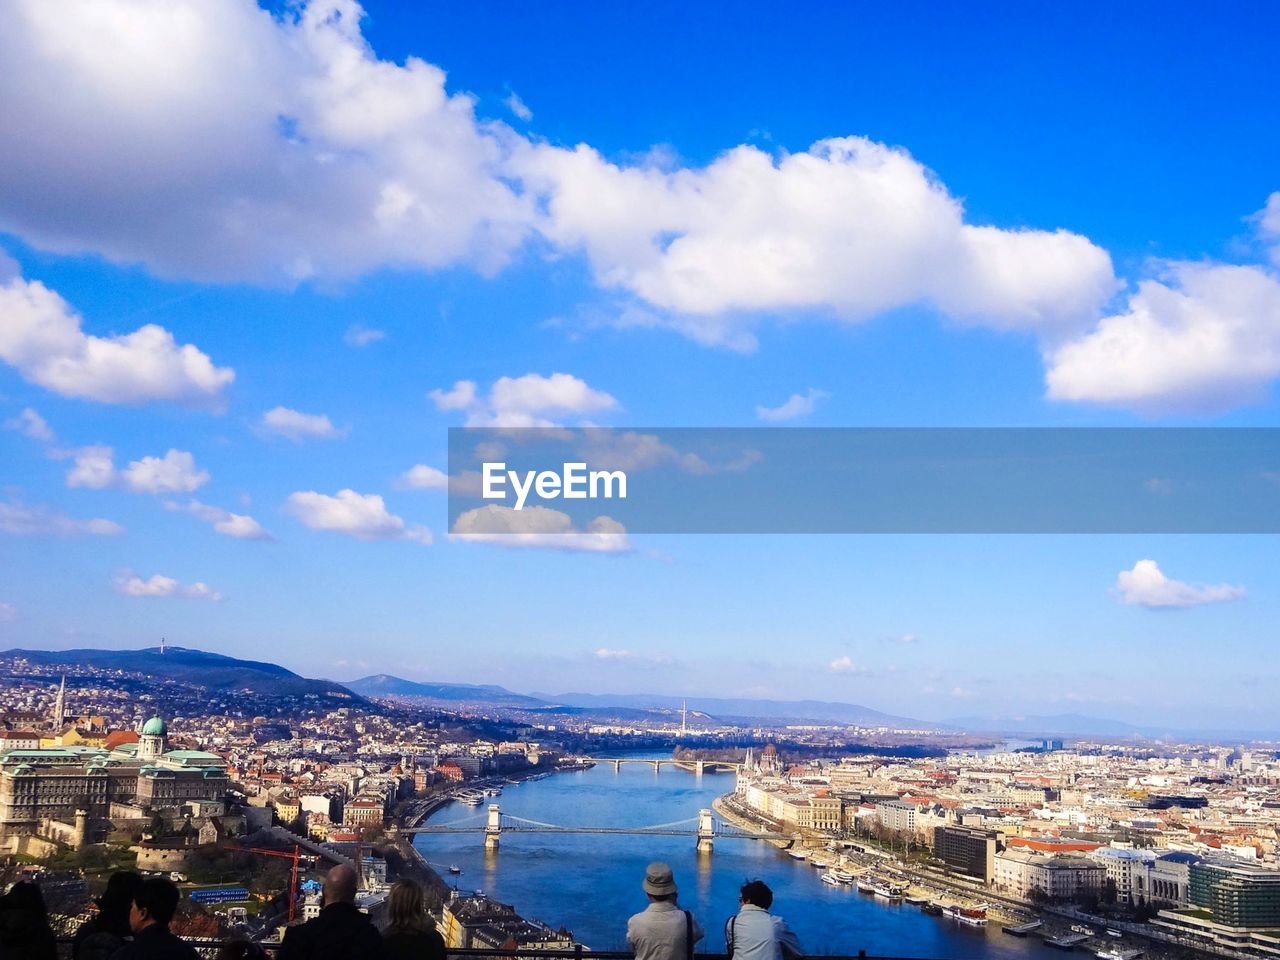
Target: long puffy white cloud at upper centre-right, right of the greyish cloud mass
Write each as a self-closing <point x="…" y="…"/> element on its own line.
<point x="851" y="227"/>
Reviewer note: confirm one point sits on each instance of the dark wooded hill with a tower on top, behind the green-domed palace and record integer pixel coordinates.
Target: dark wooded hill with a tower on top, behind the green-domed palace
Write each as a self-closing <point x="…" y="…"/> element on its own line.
<point x="196" y="668"/>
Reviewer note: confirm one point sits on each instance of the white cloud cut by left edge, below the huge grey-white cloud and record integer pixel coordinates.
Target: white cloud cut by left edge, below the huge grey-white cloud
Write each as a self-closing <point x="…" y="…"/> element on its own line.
<point x="42" y="339"/>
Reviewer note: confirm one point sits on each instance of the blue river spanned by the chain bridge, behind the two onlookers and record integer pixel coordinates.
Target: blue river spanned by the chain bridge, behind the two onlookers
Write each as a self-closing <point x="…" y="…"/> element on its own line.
<point x="591" y="884"/>
